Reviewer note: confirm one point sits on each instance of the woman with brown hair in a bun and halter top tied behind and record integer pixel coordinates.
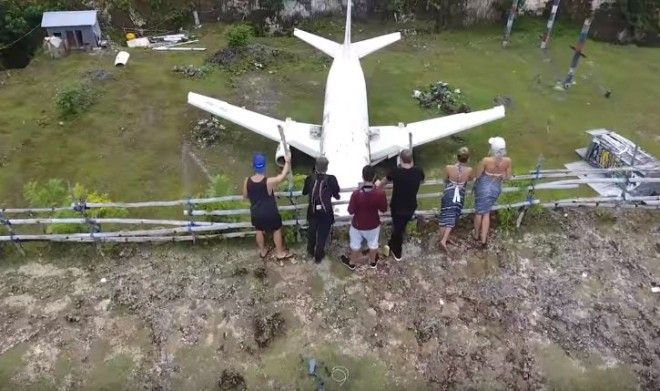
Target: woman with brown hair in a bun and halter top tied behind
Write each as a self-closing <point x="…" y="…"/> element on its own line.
<point x="453" y="196"/>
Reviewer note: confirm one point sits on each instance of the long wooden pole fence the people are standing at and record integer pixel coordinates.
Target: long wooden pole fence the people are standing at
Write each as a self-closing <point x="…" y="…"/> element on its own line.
<point x="203" y="222"/>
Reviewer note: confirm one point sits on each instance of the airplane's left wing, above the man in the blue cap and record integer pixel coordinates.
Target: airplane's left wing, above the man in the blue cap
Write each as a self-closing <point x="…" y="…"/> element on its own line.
<point x="299" y="135"/>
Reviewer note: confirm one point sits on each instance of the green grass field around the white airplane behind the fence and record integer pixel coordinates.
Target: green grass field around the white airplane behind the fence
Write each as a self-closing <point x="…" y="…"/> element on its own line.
<point x="129" y="143"/>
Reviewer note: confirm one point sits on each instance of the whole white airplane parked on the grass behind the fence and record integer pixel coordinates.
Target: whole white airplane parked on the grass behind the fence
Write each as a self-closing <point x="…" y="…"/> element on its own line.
<point x="345" y="137"/>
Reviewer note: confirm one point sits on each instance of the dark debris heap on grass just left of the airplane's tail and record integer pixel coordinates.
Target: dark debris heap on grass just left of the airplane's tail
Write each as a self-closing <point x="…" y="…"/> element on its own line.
<point x="252" y="57"/>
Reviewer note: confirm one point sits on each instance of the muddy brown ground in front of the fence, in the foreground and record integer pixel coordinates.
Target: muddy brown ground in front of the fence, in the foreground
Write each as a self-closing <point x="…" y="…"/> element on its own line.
<point x="565" y="303"/>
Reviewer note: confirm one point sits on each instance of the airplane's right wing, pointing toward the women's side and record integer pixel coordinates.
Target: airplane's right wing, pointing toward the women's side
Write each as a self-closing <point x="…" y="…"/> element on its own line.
<point x="388" y="141"/>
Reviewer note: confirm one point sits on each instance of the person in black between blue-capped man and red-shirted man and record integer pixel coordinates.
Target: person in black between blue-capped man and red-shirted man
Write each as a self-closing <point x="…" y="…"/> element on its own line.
<point x="320" y="187"/>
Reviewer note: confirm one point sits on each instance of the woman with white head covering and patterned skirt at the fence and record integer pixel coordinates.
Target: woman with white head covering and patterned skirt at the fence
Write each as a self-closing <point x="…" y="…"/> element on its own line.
<point x="492" y="170"/>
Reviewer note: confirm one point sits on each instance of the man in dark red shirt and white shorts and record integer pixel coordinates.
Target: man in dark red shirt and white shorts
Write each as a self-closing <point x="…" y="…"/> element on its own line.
<point x="364" y="205"/>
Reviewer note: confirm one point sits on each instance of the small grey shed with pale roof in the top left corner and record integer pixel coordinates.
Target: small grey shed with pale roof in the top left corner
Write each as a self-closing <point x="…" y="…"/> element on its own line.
<point x="77" y="29"/>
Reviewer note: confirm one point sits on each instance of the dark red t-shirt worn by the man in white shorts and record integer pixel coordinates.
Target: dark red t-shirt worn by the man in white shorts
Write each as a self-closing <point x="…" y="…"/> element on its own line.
<point x="364" y="206"/>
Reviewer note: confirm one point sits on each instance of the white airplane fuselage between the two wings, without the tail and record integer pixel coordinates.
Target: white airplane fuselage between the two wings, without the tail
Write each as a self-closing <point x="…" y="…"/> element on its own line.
<point x="345" y="135"/>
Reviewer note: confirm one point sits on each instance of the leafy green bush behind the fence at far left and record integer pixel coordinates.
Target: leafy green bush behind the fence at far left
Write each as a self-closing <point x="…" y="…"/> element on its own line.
<point x="55" y="194"/>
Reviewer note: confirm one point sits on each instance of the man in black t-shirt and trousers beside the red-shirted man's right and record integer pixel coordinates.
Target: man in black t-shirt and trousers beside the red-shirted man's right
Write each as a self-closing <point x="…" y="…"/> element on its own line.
<point x="406" y="179"/>
